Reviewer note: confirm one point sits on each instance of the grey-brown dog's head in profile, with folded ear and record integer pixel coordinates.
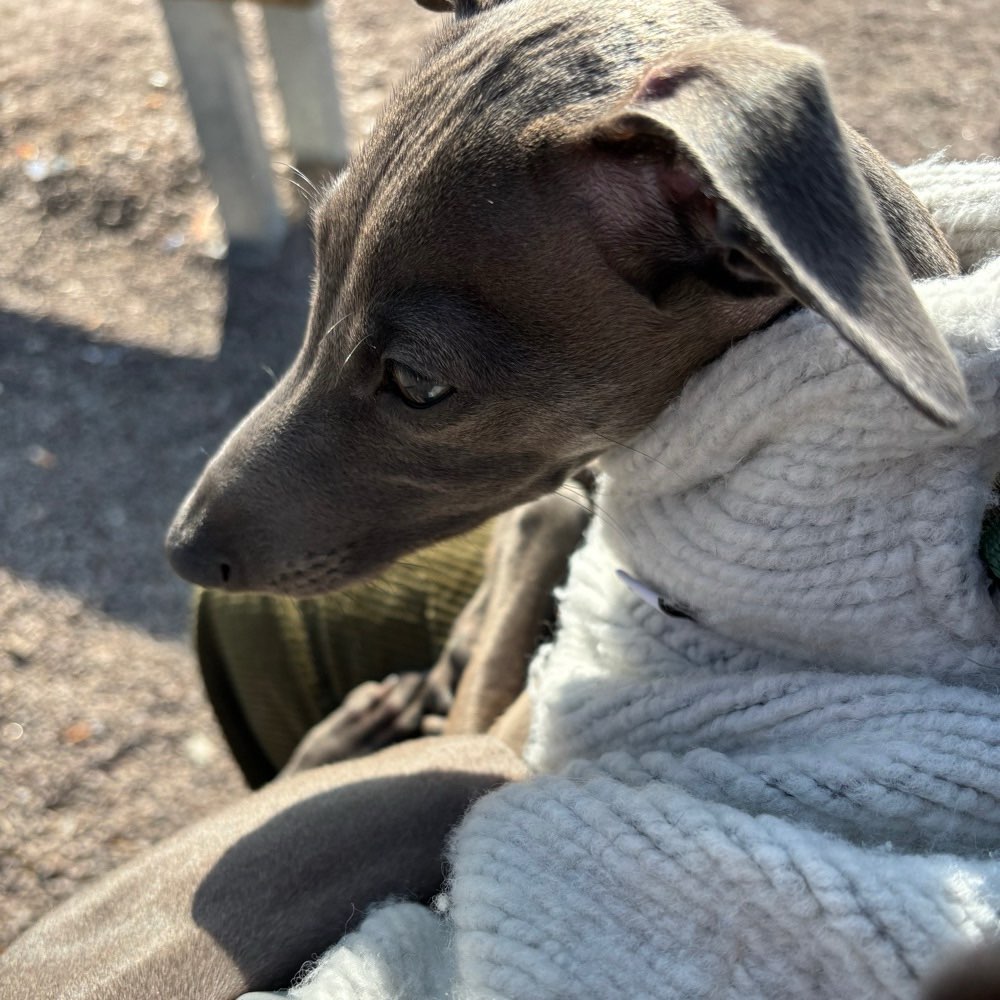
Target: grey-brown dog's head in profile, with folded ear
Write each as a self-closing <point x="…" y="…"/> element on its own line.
<point x="566" y="210"/>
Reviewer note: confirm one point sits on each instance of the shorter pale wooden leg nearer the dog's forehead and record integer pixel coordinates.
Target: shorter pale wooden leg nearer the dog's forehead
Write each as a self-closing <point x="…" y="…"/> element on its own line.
<point x="303" y="62"/>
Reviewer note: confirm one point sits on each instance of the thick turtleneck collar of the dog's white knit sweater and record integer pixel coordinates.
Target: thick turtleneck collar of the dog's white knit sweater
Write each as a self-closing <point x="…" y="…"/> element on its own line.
<point x="789" y="504"/>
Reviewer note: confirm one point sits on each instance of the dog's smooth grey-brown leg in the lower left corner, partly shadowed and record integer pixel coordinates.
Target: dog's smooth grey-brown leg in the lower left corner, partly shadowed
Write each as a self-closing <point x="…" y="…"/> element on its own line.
<point x="239" y="900"/>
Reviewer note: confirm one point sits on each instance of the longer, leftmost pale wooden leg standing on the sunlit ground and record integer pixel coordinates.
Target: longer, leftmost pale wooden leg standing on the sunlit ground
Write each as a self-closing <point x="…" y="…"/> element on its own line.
<point x="207" y="46"/>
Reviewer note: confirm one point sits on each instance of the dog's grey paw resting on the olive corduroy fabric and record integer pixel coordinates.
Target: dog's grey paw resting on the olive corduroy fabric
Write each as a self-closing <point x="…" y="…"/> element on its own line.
<point x="372" y="716"/>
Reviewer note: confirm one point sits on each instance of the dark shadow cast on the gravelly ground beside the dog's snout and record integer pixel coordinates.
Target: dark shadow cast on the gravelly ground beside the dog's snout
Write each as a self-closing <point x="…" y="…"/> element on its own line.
<point x="101" y="442"/>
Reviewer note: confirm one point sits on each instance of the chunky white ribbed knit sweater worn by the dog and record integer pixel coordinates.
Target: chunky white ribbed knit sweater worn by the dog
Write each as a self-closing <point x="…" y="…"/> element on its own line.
<point x="795" y="793"/>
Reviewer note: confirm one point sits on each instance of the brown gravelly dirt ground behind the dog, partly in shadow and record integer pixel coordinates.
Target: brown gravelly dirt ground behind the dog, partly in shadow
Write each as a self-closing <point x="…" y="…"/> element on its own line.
<point x="129" y="346"/>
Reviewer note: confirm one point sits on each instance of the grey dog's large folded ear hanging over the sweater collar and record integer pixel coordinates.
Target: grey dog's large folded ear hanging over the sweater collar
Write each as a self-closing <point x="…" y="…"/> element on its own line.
<point x="737" y="136"/>
